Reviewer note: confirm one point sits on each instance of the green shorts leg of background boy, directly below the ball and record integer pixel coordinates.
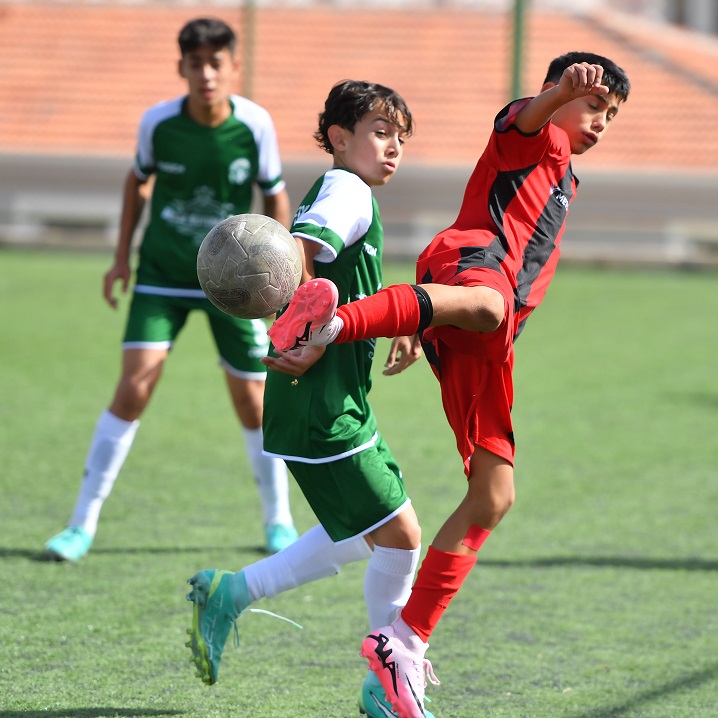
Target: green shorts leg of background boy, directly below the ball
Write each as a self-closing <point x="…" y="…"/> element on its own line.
<point x="241" y="343"/>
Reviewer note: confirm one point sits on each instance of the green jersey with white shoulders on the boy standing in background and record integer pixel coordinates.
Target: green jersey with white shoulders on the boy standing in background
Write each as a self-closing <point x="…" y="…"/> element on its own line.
<point x="202" y="176"/>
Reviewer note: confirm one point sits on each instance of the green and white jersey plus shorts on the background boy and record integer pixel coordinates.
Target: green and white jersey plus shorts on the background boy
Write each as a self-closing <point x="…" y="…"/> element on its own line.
<point x="202" y="176"/>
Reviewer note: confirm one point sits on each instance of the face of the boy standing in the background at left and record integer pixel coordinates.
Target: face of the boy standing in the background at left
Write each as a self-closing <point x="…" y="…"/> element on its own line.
<point x="210" y="75"/>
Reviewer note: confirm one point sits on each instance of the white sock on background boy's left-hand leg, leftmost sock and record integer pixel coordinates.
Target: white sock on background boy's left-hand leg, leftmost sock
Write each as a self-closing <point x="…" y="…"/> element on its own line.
<point x="110" y="445"/>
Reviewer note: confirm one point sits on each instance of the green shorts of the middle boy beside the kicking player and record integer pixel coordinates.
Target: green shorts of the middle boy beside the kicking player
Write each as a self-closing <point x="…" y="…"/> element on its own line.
<point x="353" y="495"/>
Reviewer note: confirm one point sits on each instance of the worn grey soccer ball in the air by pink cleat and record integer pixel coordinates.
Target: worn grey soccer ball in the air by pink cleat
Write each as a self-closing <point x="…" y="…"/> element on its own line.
<point x="249" y="266"/>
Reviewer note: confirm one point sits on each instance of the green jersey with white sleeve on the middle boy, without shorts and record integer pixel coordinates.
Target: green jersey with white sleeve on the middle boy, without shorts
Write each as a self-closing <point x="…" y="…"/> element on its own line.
<point x="324" y="415"/>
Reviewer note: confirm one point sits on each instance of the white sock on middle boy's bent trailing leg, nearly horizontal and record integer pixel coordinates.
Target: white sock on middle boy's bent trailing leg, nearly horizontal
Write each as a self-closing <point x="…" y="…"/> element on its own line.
<point x="312" y="556"/>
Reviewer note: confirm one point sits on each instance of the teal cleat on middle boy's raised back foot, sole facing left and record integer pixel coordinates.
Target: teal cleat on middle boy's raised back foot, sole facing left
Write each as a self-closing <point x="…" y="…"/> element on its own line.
<point x="213" y="616"/>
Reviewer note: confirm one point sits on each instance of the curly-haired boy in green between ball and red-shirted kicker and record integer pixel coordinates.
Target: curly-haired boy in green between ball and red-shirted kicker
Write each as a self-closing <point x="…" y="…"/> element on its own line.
<point x="336" y="454"/>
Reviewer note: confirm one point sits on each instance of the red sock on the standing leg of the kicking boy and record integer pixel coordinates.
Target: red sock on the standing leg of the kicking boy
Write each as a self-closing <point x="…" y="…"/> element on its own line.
<point x="440" y="577"/>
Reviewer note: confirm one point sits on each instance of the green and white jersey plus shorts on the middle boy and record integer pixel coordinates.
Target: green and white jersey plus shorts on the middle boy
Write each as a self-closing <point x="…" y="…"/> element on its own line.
<point x="321" y="423"/>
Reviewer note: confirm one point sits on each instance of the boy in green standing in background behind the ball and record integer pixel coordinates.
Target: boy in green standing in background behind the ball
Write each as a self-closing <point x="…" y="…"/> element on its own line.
<point x="205" y="151"/>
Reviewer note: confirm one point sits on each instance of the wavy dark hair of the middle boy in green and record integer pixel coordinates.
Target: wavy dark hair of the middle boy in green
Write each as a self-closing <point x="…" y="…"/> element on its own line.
<point x="351" y="100"/>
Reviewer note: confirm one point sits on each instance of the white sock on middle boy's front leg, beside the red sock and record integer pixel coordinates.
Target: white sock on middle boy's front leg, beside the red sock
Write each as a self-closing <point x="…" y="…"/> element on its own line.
<point x="387" y="583"/>
